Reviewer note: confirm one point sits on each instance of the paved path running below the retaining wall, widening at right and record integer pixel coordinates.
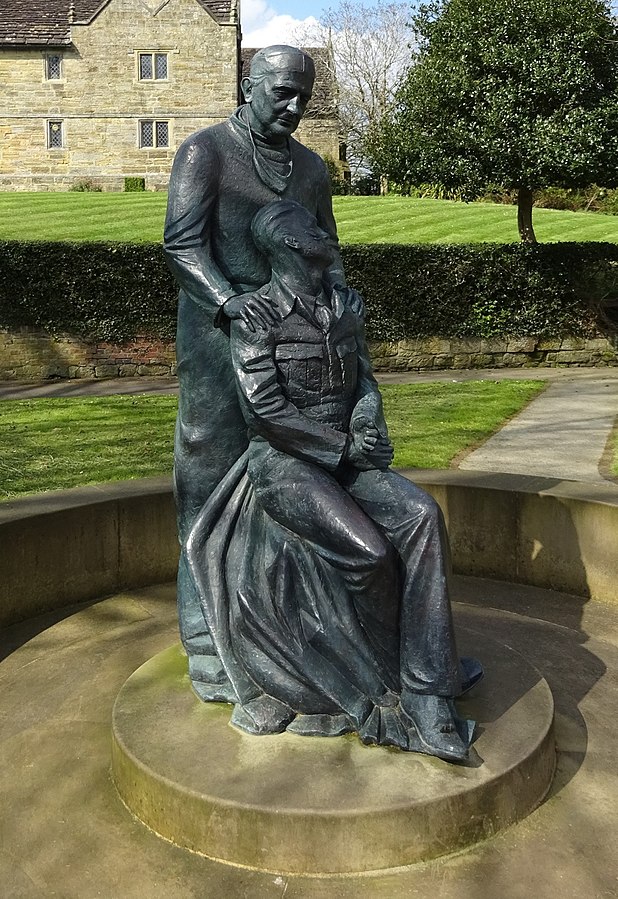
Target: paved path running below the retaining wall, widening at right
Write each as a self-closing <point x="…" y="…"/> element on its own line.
<point x="563" y="433"/>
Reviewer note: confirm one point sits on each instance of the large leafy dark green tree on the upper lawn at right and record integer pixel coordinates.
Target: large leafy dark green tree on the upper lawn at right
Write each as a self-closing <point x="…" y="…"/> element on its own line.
<point x="521" y="94"/>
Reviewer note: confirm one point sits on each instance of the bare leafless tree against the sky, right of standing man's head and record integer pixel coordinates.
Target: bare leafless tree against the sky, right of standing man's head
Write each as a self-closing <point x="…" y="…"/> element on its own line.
<point x="368" y="53"/>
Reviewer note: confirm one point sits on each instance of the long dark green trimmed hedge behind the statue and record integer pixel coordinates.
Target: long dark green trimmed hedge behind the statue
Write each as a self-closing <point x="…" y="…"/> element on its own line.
<point x="117" y="291"/>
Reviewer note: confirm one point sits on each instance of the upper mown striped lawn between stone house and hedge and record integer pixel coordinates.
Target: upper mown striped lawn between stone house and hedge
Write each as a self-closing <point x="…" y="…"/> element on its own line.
<point x="138" y="217"/>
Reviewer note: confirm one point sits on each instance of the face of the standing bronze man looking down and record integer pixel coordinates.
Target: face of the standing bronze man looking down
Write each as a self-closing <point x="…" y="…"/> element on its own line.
<point x="277" y="102"/>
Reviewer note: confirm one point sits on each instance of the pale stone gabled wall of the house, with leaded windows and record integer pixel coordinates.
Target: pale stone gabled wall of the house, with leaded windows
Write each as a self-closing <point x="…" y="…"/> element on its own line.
<point x="101" y="100"/>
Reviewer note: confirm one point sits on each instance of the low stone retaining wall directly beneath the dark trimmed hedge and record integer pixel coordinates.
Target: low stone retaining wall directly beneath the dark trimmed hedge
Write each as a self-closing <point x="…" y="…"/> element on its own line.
<point x="28" y="355"/>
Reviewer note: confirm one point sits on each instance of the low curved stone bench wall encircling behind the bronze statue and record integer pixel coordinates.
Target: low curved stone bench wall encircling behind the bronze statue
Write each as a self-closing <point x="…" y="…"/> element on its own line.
<point x="68" y="546"/>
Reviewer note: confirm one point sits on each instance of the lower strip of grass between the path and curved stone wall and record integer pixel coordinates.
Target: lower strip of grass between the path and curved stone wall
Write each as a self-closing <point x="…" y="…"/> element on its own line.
<point x="52" y="444"/>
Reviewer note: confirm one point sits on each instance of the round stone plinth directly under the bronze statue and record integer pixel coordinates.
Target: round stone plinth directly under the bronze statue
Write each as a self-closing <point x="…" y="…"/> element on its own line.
<point x="293" y="804"/>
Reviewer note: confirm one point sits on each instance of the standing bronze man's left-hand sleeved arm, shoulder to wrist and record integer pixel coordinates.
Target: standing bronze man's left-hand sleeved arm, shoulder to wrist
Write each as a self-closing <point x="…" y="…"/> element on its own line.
<point x="193" y="187"/>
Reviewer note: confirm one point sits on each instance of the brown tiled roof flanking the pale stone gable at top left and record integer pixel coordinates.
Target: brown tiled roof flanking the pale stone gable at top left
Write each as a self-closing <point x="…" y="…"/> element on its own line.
<point x="47" y="22"/>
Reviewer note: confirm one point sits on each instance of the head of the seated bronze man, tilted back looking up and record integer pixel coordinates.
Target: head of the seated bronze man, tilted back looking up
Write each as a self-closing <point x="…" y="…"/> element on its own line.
<point x="285" y="232"/>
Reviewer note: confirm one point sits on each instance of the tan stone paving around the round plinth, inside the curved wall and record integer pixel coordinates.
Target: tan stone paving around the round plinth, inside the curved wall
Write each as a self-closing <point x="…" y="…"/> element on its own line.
<point x="64" y="831"/>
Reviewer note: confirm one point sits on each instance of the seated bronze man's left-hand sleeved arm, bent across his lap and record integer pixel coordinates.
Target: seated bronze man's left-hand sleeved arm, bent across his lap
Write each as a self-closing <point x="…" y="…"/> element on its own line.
<point x="267" y="412"/>
